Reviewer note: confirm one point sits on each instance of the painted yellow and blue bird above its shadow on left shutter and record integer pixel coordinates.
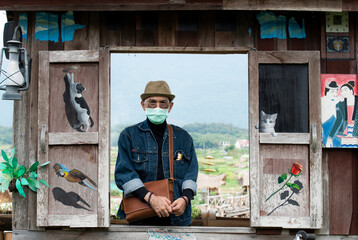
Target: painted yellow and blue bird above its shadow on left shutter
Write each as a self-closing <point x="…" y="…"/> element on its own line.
<point x="74" y="175"/>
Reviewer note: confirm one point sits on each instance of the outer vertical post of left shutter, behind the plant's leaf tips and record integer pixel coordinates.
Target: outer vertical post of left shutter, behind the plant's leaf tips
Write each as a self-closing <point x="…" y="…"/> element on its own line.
<point x="43" y="95"/>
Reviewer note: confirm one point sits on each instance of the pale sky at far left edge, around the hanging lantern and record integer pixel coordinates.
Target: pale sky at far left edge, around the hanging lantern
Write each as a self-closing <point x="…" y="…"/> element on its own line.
<point x="6" y="106"/>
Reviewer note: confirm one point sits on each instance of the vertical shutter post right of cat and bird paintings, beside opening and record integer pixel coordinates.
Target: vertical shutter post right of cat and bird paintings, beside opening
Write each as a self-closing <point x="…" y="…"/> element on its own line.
<point x="104" y="141"/>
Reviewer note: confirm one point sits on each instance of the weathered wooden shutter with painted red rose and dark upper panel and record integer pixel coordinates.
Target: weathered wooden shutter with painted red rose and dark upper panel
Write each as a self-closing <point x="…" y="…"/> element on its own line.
<point x="287" y="83"/>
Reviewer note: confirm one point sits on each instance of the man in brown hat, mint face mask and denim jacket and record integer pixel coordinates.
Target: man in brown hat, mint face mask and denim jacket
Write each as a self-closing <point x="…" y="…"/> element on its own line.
<point x="143" y="157"/>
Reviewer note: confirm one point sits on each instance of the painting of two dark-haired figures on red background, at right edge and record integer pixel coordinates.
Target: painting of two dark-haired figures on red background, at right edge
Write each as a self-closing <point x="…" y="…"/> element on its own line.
<point x="339" y="110"/>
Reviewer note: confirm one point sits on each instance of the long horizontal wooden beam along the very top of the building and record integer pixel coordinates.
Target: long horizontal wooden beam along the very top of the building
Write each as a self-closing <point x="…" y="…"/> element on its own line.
<point x="162" y="5"/>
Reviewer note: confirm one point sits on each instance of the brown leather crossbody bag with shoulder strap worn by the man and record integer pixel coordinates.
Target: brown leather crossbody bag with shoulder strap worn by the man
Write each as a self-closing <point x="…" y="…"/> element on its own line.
<point x="134" y="208"/>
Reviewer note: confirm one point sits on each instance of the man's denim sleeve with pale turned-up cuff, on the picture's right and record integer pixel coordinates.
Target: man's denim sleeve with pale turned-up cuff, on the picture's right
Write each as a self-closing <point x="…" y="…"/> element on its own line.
<point x="191" y="175"/>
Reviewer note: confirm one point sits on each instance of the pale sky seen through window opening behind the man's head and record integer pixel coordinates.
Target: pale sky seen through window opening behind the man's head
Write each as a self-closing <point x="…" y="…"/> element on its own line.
<point x="209" y="88"/>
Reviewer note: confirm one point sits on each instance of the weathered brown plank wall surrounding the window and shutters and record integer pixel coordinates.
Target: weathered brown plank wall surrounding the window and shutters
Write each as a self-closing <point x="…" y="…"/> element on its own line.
<point x="180" y="30"/>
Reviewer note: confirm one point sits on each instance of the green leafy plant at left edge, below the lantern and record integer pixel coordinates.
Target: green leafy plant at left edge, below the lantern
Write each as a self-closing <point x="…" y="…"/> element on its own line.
<point x="14" y="176"/>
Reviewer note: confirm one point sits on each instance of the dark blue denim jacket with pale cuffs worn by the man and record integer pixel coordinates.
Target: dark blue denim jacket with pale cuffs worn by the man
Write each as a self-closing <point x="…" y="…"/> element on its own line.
<point x="137" y="163"/>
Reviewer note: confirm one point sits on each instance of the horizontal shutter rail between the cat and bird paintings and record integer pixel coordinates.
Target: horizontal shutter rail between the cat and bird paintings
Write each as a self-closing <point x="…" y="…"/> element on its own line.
<point x="68" y="138"/>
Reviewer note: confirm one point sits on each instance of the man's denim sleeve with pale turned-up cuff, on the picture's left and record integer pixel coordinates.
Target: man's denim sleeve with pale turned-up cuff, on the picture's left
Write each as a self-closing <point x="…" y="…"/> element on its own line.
<point x="125" y="176"/>
